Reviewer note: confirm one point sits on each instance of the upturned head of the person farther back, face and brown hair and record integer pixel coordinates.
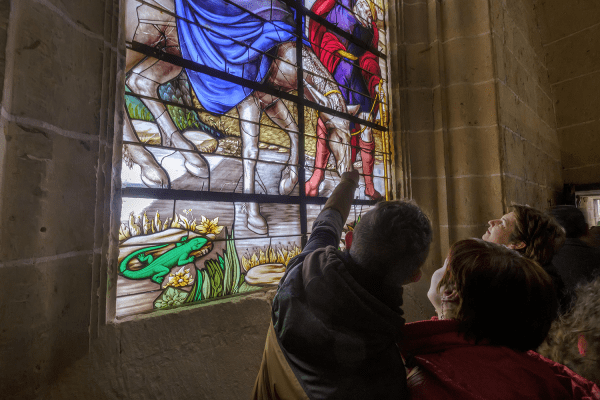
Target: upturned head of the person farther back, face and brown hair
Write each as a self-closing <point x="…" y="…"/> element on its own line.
<point x="533" y="233"/>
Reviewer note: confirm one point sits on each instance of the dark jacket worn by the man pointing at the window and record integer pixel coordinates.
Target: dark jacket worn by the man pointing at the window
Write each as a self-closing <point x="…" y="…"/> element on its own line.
<point x="338" y="340"/>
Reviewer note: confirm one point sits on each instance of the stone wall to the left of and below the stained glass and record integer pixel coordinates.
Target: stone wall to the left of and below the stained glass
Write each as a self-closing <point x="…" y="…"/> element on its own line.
<point x="58" y="187"/>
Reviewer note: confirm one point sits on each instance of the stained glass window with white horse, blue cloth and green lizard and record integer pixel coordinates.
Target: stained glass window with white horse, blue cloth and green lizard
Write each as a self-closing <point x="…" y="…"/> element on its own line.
<point x="231" y="146"/>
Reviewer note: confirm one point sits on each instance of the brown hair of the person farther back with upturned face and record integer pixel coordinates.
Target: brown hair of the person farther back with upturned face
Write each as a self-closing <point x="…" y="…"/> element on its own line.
<point x="540" y="232"/>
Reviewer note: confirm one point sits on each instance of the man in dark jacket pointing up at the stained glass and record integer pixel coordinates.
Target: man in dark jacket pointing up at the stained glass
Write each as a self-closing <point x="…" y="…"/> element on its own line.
<point x="336" y="316"/>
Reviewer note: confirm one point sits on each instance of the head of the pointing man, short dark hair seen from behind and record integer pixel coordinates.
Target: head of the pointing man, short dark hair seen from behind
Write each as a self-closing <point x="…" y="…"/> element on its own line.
<point x="391" y="242"/>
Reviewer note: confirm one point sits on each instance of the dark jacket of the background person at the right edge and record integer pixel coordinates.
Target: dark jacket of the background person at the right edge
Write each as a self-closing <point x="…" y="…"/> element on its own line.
<point x="576" y="262"/>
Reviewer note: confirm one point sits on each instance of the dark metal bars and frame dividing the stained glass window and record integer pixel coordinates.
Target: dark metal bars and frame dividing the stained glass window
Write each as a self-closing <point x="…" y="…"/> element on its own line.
<point x="301" y="199"/>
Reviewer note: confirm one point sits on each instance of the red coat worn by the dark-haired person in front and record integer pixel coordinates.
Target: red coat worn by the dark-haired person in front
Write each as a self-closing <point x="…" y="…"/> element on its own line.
<point x="446" y="366"/>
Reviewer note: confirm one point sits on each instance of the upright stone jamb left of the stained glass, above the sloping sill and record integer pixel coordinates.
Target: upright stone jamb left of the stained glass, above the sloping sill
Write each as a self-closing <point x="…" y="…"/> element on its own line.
<point x="57" y="127"/>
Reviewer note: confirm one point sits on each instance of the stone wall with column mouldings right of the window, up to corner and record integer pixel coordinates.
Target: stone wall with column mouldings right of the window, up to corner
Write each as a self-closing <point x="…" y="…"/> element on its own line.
<point x="478" y="123"/>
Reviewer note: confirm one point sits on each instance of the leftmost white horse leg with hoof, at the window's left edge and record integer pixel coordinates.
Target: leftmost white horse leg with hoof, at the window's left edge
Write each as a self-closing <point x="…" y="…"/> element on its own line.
<point x="152" y="173"/>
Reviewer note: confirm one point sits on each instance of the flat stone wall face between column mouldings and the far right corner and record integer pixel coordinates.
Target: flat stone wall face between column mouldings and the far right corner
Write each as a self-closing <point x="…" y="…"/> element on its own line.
<point x="530" y="149"/>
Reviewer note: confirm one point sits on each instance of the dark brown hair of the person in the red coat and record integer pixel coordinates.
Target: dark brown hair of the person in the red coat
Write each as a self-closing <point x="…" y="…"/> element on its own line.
<point x="502" y="298"/>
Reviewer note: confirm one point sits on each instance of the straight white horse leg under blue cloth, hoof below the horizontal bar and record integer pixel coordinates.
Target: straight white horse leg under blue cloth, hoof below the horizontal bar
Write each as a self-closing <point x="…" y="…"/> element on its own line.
<point x="250" y="112"/>
